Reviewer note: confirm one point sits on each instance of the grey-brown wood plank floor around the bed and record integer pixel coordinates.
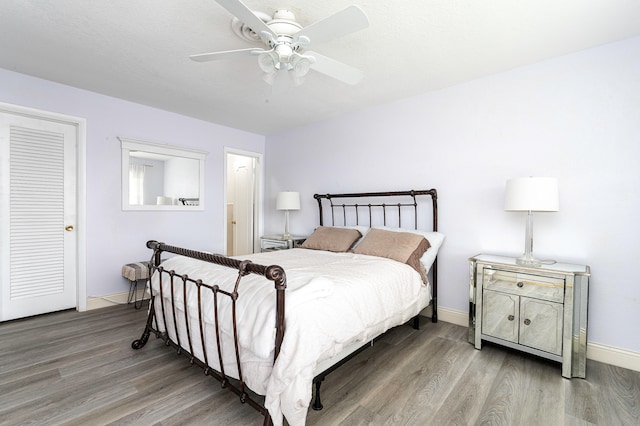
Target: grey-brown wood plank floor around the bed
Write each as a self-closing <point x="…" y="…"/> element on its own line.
<point x="79" y="369"/>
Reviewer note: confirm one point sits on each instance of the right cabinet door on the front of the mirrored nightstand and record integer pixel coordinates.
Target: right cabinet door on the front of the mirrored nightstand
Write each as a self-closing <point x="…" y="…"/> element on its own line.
<point x="541" y="325"/>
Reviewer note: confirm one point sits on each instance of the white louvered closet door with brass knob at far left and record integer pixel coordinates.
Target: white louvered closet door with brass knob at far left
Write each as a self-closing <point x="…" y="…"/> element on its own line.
<point x="38" y="216"/>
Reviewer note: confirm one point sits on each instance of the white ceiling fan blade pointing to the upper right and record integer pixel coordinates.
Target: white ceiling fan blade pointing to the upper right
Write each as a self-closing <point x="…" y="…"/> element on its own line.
<point x="347" y="21"/>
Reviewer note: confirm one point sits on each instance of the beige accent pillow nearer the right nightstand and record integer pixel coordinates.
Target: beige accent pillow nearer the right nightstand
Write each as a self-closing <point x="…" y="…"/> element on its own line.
<point x="404" y="247"/>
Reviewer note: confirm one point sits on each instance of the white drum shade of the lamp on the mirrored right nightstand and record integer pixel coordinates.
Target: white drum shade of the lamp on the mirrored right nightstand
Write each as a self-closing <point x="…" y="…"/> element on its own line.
<point x="532" y="194"/>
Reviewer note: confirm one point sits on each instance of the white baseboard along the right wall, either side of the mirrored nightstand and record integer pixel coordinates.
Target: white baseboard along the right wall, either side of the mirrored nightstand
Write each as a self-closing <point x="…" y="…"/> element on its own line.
<point x="595" y="351"/>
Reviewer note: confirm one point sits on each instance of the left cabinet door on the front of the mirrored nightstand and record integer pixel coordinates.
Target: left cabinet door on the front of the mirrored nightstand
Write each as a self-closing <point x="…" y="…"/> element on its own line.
<point x="500" y="315"/>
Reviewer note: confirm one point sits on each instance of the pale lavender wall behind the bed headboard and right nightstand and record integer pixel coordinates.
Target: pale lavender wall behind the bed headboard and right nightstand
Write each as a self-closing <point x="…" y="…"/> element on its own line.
<point x="576" y="118"/>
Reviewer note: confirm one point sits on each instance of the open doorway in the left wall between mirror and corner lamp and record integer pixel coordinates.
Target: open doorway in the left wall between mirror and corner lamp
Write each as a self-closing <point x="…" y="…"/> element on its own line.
<point x="242" y="194"/>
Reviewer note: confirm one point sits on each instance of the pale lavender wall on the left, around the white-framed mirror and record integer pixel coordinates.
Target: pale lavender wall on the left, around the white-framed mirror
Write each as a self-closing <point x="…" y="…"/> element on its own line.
<point x="116" y="237"/>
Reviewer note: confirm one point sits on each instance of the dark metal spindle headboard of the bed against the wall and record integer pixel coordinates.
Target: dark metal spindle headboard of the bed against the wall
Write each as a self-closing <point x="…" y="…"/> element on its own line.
<point x="397" y="208"/>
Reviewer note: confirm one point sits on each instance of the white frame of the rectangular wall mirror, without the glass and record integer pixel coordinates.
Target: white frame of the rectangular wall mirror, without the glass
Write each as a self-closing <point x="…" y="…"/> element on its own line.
<point x="129" y="145"/>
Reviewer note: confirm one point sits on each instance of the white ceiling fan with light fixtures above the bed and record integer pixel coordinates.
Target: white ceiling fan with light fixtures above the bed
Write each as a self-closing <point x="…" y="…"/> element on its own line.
<point x="284" y="56"/>
